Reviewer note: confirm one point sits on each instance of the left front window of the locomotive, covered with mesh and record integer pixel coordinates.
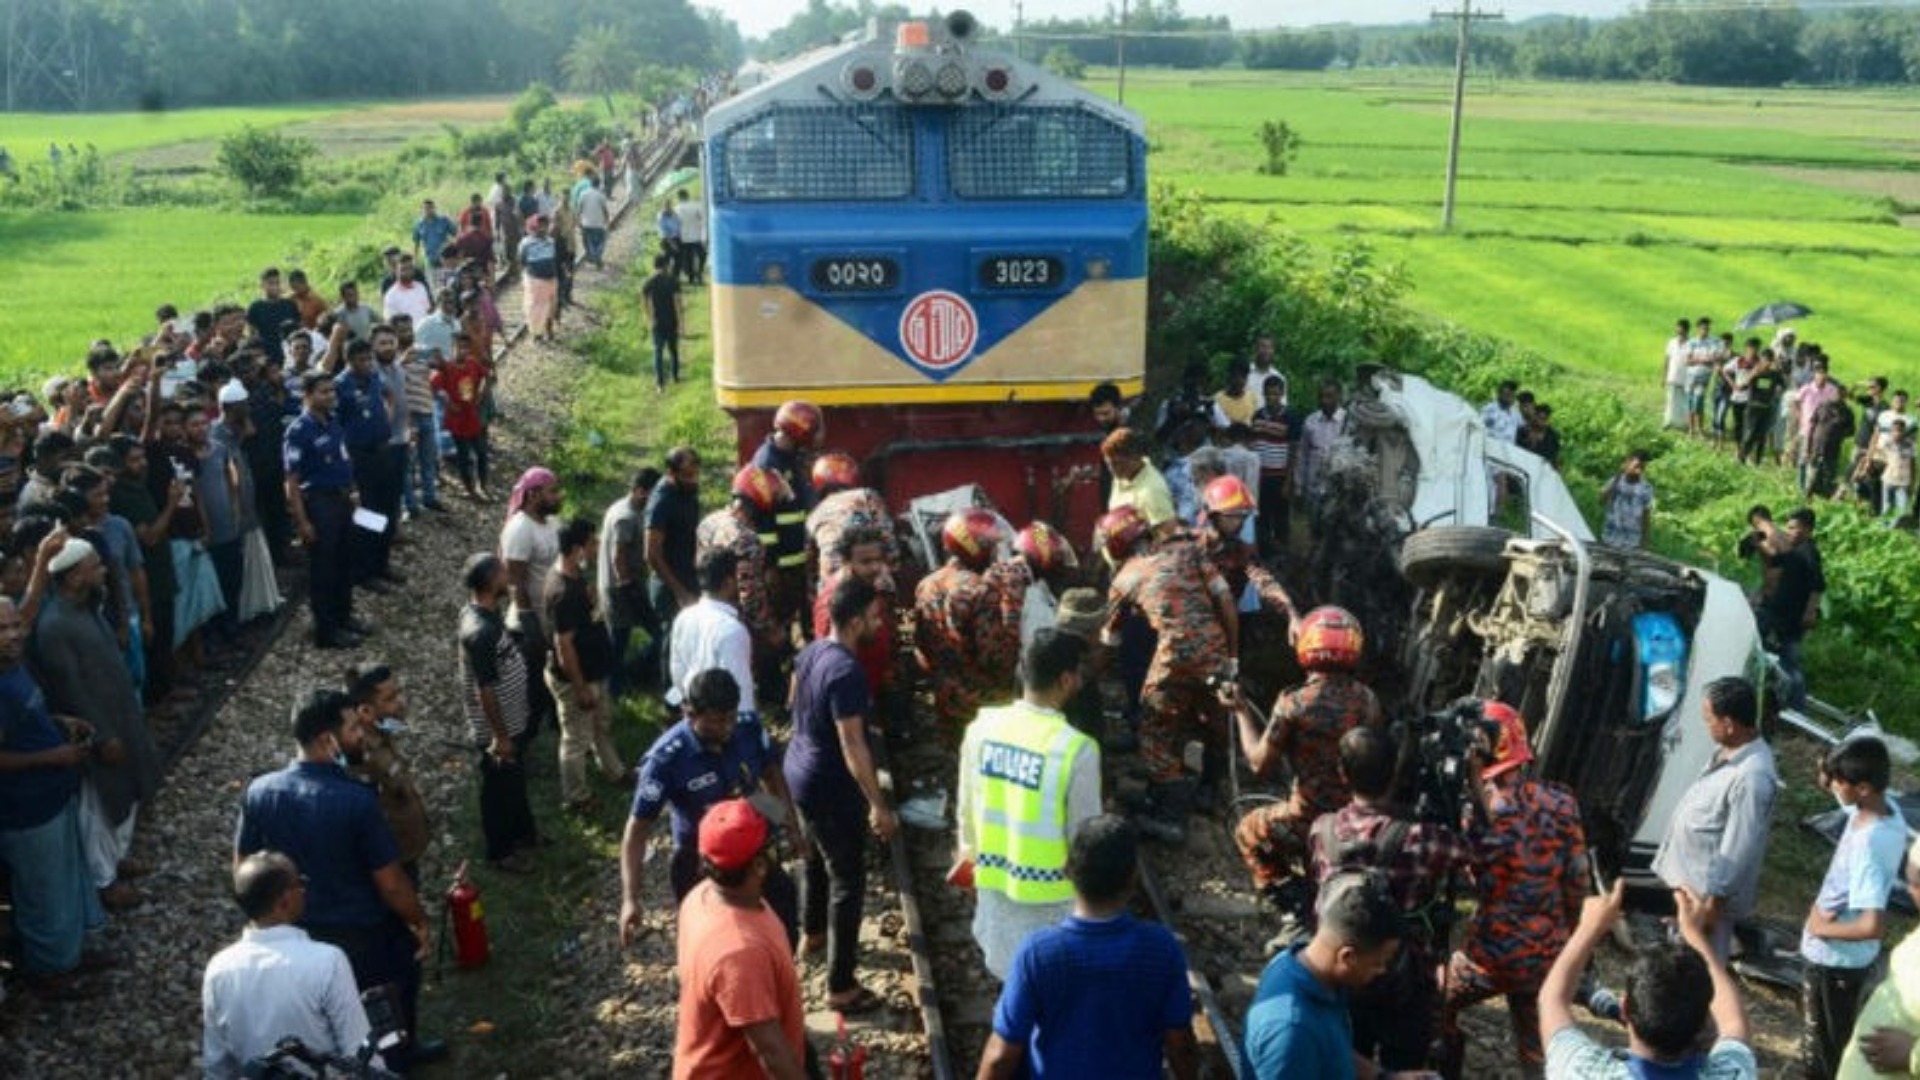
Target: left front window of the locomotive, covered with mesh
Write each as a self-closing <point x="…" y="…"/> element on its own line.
<point x="821" y="155"/>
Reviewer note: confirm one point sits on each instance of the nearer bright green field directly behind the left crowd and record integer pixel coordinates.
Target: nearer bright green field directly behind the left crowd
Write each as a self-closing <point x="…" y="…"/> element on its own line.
<point x="74" y="278"/>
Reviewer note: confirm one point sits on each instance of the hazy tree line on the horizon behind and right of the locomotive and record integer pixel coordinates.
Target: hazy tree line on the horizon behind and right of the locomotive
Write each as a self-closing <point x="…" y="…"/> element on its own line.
<point x="1673" y="41"/>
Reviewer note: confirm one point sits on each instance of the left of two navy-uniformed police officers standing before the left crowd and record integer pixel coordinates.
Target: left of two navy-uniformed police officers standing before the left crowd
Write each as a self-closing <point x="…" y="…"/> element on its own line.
<point x="320" y="495"/>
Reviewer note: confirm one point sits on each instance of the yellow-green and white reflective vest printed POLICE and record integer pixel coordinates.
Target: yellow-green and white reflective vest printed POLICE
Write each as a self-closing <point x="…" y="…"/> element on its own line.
<point x="1022" y="762"/>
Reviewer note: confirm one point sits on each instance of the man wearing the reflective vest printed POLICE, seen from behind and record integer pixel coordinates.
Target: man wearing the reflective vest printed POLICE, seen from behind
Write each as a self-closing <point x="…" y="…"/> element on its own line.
<point x="1028" y="781"/>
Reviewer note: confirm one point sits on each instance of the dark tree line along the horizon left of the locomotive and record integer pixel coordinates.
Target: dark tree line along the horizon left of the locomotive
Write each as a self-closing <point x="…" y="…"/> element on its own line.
<point x="160" y="55"/>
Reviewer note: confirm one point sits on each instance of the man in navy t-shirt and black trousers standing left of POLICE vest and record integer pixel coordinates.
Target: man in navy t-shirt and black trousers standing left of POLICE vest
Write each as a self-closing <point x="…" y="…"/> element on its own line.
<point x="830" y="772"/>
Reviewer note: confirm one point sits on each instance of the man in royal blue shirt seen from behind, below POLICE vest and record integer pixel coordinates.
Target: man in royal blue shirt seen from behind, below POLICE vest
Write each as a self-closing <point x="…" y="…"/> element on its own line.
<point x="1101" y="994"/>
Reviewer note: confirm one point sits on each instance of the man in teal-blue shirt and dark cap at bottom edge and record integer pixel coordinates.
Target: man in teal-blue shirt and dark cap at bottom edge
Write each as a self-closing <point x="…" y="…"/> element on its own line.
<point x="1297" y="1025"/>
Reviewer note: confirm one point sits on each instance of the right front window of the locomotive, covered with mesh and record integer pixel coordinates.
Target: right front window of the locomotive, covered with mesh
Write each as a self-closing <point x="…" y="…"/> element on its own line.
<point x="1040" y="153"/>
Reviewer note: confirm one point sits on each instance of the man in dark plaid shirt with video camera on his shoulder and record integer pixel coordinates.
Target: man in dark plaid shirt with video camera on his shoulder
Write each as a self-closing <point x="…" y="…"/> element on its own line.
<point x="1395" y="1016"/>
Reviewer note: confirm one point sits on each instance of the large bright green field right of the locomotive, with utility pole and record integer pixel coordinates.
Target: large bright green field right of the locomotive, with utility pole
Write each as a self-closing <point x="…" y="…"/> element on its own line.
<point x="1589" y="218"/>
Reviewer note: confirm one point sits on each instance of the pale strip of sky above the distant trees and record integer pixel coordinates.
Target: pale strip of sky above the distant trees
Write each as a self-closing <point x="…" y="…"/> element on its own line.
<point x="759" y="16"/>
